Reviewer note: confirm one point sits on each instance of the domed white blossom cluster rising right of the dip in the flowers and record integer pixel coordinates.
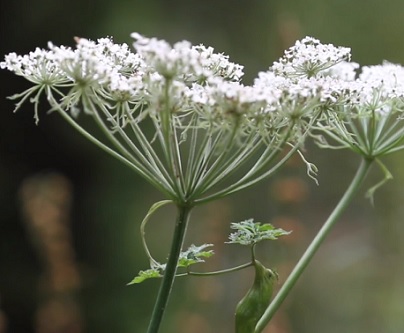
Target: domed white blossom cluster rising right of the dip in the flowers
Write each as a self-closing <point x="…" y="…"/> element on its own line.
<point x="309" y="76"/>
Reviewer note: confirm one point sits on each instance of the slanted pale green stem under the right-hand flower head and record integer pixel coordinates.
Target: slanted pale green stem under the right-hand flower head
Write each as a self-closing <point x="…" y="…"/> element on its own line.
<point x="315" y="244"/>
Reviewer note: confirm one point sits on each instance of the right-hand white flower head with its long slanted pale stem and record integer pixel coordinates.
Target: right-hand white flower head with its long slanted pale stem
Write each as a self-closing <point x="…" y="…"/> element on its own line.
<point x="368" y="120"/>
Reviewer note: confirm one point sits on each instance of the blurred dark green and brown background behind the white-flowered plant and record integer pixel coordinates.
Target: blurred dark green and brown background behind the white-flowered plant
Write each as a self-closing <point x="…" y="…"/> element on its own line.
<point x="70" y="215"/>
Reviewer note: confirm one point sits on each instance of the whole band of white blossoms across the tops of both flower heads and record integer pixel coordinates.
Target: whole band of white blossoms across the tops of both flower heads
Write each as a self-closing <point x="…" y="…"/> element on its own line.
<point x="310" y="76"/>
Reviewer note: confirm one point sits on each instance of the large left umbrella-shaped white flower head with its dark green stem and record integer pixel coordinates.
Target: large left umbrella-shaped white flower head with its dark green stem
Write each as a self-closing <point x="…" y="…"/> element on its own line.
<point x="212" y="135"/>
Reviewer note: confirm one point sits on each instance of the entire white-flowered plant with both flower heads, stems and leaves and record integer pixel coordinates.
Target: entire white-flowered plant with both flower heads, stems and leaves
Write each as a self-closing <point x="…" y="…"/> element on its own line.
<point x="180" y="117"/>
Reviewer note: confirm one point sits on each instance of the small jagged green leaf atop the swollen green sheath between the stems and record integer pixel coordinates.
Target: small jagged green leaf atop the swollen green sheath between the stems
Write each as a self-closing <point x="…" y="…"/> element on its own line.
<point x="250" y="233"/>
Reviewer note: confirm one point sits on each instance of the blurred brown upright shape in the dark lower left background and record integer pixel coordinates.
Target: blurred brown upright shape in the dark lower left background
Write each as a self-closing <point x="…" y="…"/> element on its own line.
<point x="46" y="201"/>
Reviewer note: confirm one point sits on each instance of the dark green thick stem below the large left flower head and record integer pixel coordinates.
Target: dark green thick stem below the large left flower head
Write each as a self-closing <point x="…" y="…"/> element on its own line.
<point x="171" y="268"/>
